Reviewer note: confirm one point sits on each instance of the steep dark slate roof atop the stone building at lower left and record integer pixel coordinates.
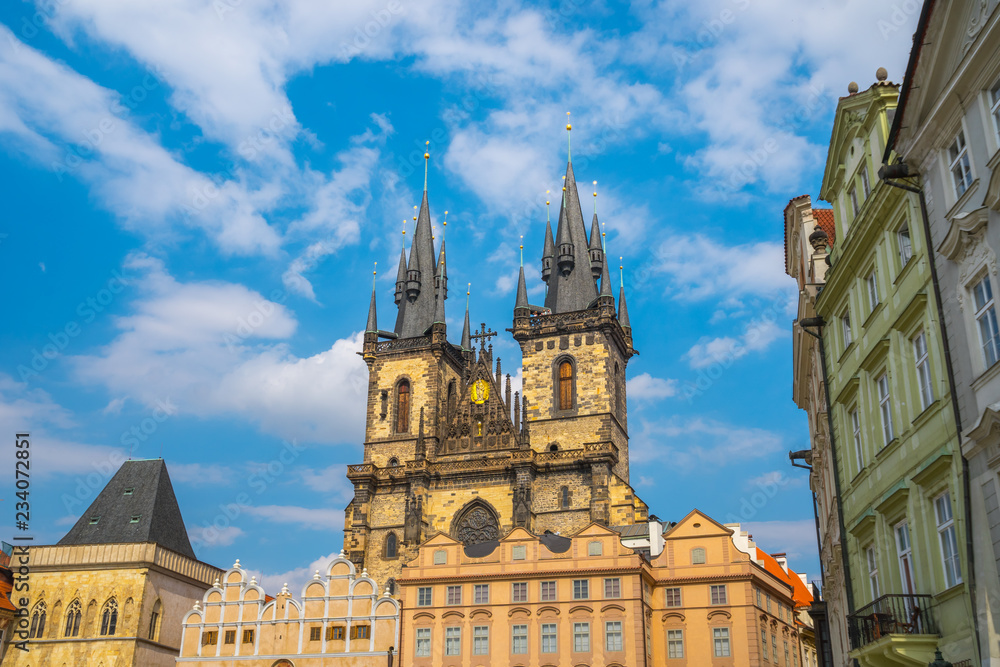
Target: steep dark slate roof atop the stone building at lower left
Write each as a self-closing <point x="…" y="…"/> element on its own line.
<point x="151" y="500"/>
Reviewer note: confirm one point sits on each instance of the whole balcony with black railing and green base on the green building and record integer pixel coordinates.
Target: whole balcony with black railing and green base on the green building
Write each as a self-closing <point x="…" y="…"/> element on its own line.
<point x="901" y="625"/>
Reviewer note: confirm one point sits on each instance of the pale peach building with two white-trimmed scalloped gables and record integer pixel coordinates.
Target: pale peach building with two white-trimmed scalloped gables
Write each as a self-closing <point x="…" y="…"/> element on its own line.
<point x="340" y="621"/>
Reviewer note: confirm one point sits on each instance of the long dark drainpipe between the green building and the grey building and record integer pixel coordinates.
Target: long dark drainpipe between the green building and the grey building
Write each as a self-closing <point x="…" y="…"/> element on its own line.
<point x="901" y="170"/>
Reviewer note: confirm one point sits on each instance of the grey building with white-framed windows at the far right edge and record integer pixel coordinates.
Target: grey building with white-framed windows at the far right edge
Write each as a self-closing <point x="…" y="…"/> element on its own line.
<point x="949" y="140"/>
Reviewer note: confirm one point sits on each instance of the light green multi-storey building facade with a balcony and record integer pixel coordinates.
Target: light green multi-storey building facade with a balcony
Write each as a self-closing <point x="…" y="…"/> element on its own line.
<point x="895" y="439"/>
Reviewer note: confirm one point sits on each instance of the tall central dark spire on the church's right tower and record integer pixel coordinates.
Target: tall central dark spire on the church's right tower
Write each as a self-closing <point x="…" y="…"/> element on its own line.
<point x="571" y="286"/>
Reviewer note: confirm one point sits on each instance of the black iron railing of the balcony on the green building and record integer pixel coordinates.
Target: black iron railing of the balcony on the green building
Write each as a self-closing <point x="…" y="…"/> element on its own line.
<point x="892" y="615"/>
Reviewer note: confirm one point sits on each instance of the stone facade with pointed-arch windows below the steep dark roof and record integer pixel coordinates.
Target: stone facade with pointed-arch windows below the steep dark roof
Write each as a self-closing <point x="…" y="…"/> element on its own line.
<point x="149" y="589"/>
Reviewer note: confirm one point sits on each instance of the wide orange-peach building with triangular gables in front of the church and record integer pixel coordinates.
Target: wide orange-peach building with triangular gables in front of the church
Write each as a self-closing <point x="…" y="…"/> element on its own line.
<point x="586" y="599"/>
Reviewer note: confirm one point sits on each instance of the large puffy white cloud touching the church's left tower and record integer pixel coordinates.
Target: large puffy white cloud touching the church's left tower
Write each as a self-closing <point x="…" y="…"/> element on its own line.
<point x="212" y="348"/>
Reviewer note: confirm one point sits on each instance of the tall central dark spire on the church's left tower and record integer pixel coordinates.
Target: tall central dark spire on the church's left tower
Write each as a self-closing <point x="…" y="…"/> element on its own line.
<point x="418" y="313"/>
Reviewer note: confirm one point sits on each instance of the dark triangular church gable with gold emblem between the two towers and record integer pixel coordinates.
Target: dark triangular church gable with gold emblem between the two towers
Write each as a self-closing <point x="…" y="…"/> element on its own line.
<point x="478" y="419"/>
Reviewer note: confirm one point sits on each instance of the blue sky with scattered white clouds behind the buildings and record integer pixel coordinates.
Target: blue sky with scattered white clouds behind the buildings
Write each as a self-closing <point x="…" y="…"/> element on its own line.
<point x="196" y="192"/>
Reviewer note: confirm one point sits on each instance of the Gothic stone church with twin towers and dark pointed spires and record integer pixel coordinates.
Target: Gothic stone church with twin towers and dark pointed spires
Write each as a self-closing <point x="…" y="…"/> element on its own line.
<point x="449" y="449"/>
